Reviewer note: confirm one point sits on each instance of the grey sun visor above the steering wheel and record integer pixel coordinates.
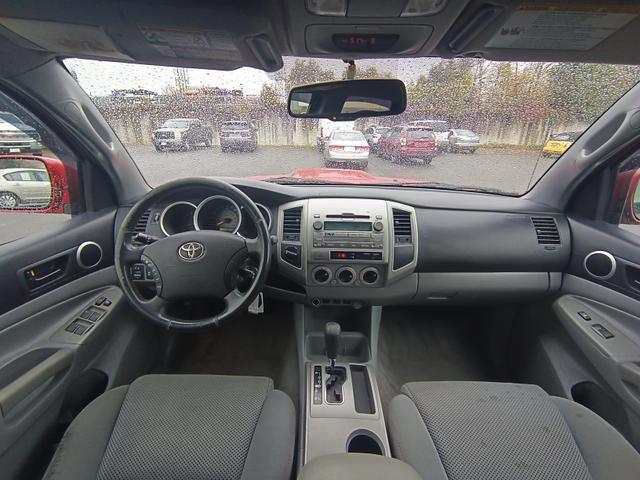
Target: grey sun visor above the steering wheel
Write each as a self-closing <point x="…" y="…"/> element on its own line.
<point x="161" y="34"/>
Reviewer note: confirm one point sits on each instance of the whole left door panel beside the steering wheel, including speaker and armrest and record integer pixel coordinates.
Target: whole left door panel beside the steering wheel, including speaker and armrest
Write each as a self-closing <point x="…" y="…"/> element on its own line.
<point x="54" y="338"/>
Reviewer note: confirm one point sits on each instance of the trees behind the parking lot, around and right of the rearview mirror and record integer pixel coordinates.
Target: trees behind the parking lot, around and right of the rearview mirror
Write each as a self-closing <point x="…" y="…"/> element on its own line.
<point x="468" y="92"/>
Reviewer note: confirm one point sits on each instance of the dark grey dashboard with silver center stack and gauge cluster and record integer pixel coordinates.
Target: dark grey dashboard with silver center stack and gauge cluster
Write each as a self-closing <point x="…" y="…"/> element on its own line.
<point x="357" y="245"/>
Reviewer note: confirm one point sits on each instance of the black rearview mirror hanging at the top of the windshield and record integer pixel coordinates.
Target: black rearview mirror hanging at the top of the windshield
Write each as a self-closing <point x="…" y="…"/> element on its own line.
<point x="348" y="99"/>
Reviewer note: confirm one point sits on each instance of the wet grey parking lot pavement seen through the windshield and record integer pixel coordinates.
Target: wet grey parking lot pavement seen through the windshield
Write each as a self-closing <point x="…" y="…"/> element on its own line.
<point x="507" y="170"/>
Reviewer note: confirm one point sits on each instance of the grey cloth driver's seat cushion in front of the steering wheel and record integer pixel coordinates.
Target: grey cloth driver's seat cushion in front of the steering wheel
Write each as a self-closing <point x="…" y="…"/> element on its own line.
<point x="177" y="427"/>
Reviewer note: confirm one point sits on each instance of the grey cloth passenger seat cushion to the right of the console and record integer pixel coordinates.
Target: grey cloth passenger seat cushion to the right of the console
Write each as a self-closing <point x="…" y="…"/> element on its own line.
<point x="496" y="431"/>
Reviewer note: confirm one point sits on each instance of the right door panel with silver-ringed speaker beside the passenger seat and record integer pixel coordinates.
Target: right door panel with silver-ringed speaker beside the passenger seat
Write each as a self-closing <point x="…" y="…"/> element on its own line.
<point x="599" y="308"/>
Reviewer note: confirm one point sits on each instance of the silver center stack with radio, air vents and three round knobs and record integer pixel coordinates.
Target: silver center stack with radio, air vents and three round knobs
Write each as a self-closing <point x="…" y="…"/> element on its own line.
<point x="328" y="244"/>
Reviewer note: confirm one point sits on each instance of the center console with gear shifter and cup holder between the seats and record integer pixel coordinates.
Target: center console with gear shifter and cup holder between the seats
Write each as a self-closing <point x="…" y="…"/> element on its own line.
<point x="342" y="409"/>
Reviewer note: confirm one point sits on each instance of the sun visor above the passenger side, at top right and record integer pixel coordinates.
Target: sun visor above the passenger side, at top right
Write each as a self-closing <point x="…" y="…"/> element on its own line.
<point x="597" y="31"/>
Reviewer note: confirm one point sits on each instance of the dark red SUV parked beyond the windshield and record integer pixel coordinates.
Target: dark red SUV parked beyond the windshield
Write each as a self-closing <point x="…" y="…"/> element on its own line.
<point x="406" y="142"/>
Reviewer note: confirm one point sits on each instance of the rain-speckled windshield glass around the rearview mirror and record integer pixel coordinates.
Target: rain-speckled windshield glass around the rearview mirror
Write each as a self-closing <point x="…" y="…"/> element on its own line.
<point x="506" y="116"/>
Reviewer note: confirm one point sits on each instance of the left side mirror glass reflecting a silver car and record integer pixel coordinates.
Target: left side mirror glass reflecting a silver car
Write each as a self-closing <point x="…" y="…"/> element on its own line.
<point x="24" y="187"/>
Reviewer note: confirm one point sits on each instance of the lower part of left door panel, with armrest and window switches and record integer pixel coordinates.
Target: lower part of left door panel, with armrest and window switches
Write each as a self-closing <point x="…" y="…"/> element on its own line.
<point x="42" y="360"/>
